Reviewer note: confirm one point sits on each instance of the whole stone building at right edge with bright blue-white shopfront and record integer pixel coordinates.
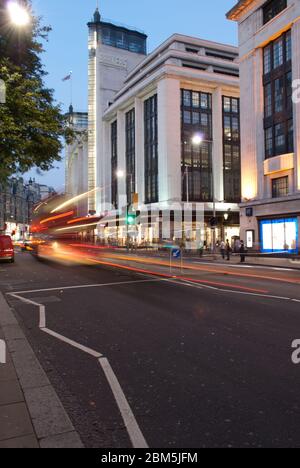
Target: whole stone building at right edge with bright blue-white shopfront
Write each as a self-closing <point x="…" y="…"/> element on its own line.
<point x="269" y="45"/>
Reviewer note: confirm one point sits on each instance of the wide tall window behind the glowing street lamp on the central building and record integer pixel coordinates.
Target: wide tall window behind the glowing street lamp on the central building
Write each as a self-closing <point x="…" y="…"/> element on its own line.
<point x="196" y="163"/>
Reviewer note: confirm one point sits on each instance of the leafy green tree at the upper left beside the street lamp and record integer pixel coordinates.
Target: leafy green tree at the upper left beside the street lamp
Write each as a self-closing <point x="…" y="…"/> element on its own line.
<point x="31" y="123"/>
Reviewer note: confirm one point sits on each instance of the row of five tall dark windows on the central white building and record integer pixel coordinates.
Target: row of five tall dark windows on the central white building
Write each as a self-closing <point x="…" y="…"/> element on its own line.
<point x="196" y="158"/>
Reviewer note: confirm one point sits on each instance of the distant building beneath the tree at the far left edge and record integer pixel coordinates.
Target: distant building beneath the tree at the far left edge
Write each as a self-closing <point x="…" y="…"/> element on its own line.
<point x="17" y="202"/>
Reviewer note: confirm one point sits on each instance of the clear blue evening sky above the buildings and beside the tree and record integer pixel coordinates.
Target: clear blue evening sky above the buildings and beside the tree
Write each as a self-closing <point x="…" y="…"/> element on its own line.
<point x="159" y="19"/>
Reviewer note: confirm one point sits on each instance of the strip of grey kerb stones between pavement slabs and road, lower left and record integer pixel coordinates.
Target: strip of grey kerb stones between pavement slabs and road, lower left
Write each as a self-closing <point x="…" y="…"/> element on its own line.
<point x="52" y="425"/>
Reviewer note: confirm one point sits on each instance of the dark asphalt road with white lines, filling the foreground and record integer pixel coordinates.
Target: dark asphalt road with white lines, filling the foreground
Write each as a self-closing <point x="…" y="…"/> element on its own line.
<point x="200" y="363"/>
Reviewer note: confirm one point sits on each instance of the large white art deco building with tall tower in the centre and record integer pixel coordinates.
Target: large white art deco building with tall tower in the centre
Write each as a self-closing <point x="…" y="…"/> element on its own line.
<point x="170" y="122"/>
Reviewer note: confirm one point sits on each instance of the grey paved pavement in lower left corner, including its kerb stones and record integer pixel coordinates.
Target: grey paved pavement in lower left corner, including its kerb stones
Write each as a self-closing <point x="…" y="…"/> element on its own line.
<point x="31" y="414"/>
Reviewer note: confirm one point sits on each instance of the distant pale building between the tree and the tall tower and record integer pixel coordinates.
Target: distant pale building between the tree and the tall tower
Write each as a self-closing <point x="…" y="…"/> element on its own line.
<point x="77" y="159"/>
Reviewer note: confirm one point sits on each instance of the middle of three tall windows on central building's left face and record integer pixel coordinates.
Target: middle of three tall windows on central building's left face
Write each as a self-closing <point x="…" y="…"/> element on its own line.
<point x="130" y="155"/>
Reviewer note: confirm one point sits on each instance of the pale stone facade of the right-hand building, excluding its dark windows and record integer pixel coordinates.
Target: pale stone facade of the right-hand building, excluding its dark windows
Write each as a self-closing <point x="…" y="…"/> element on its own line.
<point x="258" y="173"/>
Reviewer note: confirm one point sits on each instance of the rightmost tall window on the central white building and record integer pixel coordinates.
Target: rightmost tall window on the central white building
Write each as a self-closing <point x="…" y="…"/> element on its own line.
<point x="231" y="149"/>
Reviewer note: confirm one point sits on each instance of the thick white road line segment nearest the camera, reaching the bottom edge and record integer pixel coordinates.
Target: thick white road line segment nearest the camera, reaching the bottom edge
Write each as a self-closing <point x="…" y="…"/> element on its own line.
<point x="133" y="429"/>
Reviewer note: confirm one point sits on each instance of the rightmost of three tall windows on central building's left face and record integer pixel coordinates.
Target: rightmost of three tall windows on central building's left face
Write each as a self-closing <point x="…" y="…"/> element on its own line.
<point x="151" y="150"/>
